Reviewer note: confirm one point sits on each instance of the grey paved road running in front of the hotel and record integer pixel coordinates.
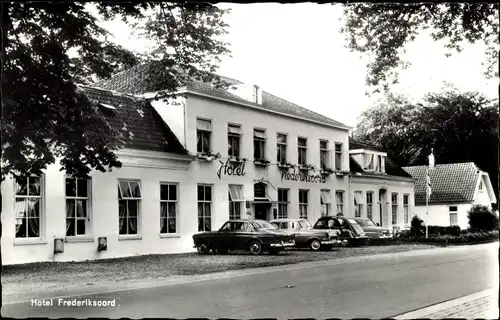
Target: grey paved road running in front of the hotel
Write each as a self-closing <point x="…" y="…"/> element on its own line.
<point x="377" y="288"/>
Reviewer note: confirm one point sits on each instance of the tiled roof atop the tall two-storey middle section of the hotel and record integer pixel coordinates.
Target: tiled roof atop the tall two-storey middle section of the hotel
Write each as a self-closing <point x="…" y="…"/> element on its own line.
<point x="133" y="81"/>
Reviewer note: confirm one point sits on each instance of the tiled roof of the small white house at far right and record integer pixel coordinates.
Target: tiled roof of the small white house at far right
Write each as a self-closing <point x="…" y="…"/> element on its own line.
<point x="450" y="183"/>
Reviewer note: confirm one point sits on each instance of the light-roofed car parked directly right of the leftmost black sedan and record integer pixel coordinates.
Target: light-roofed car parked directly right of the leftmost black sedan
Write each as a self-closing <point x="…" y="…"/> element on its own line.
<point x="306" y="236"/>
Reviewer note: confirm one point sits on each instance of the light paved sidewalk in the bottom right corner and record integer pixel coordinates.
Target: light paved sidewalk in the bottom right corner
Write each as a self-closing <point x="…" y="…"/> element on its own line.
<point x="479" y="305"/>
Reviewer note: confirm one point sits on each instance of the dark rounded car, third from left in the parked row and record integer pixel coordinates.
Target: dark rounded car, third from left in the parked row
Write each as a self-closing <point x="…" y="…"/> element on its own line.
<point x="351" y="232"/>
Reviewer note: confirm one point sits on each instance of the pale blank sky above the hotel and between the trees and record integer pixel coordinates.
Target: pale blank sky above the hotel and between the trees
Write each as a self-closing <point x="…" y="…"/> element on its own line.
<point x="296" y="52"/>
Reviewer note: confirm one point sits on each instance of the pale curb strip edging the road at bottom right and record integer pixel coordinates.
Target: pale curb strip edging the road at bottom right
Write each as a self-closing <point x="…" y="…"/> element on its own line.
<point x="450" y="304"/>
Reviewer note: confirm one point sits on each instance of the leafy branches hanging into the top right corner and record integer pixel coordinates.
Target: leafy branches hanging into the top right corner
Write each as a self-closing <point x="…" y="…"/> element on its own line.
<point x="383" y="30"/>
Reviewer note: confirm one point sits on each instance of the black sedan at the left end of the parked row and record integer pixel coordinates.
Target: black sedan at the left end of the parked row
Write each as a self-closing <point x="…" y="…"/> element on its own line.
<point x="255" y="236"/>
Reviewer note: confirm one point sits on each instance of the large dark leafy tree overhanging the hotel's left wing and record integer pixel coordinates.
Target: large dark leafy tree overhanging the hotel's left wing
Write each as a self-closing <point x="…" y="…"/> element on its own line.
<point x="46" y="117"/>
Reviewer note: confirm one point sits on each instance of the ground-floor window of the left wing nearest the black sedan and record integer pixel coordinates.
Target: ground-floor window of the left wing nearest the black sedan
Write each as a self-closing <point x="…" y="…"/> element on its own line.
<point x="168" y="207"/>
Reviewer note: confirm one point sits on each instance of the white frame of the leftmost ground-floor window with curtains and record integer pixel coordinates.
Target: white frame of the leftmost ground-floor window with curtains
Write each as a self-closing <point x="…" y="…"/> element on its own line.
<point x="41" y="217"/>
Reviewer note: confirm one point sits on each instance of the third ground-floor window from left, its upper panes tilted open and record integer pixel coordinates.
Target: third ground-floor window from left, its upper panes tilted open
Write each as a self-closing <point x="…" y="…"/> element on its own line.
<point x="129" y="200"/>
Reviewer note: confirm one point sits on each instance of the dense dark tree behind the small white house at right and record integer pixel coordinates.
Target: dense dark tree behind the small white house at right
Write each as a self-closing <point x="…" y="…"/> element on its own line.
<point x="460" y="127"/>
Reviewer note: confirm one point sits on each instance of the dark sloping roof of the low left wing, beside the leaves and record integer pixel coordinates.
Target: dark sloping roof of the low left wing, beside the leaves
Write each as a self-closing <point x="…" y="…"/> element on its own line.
<point x="136" y="117"/>
